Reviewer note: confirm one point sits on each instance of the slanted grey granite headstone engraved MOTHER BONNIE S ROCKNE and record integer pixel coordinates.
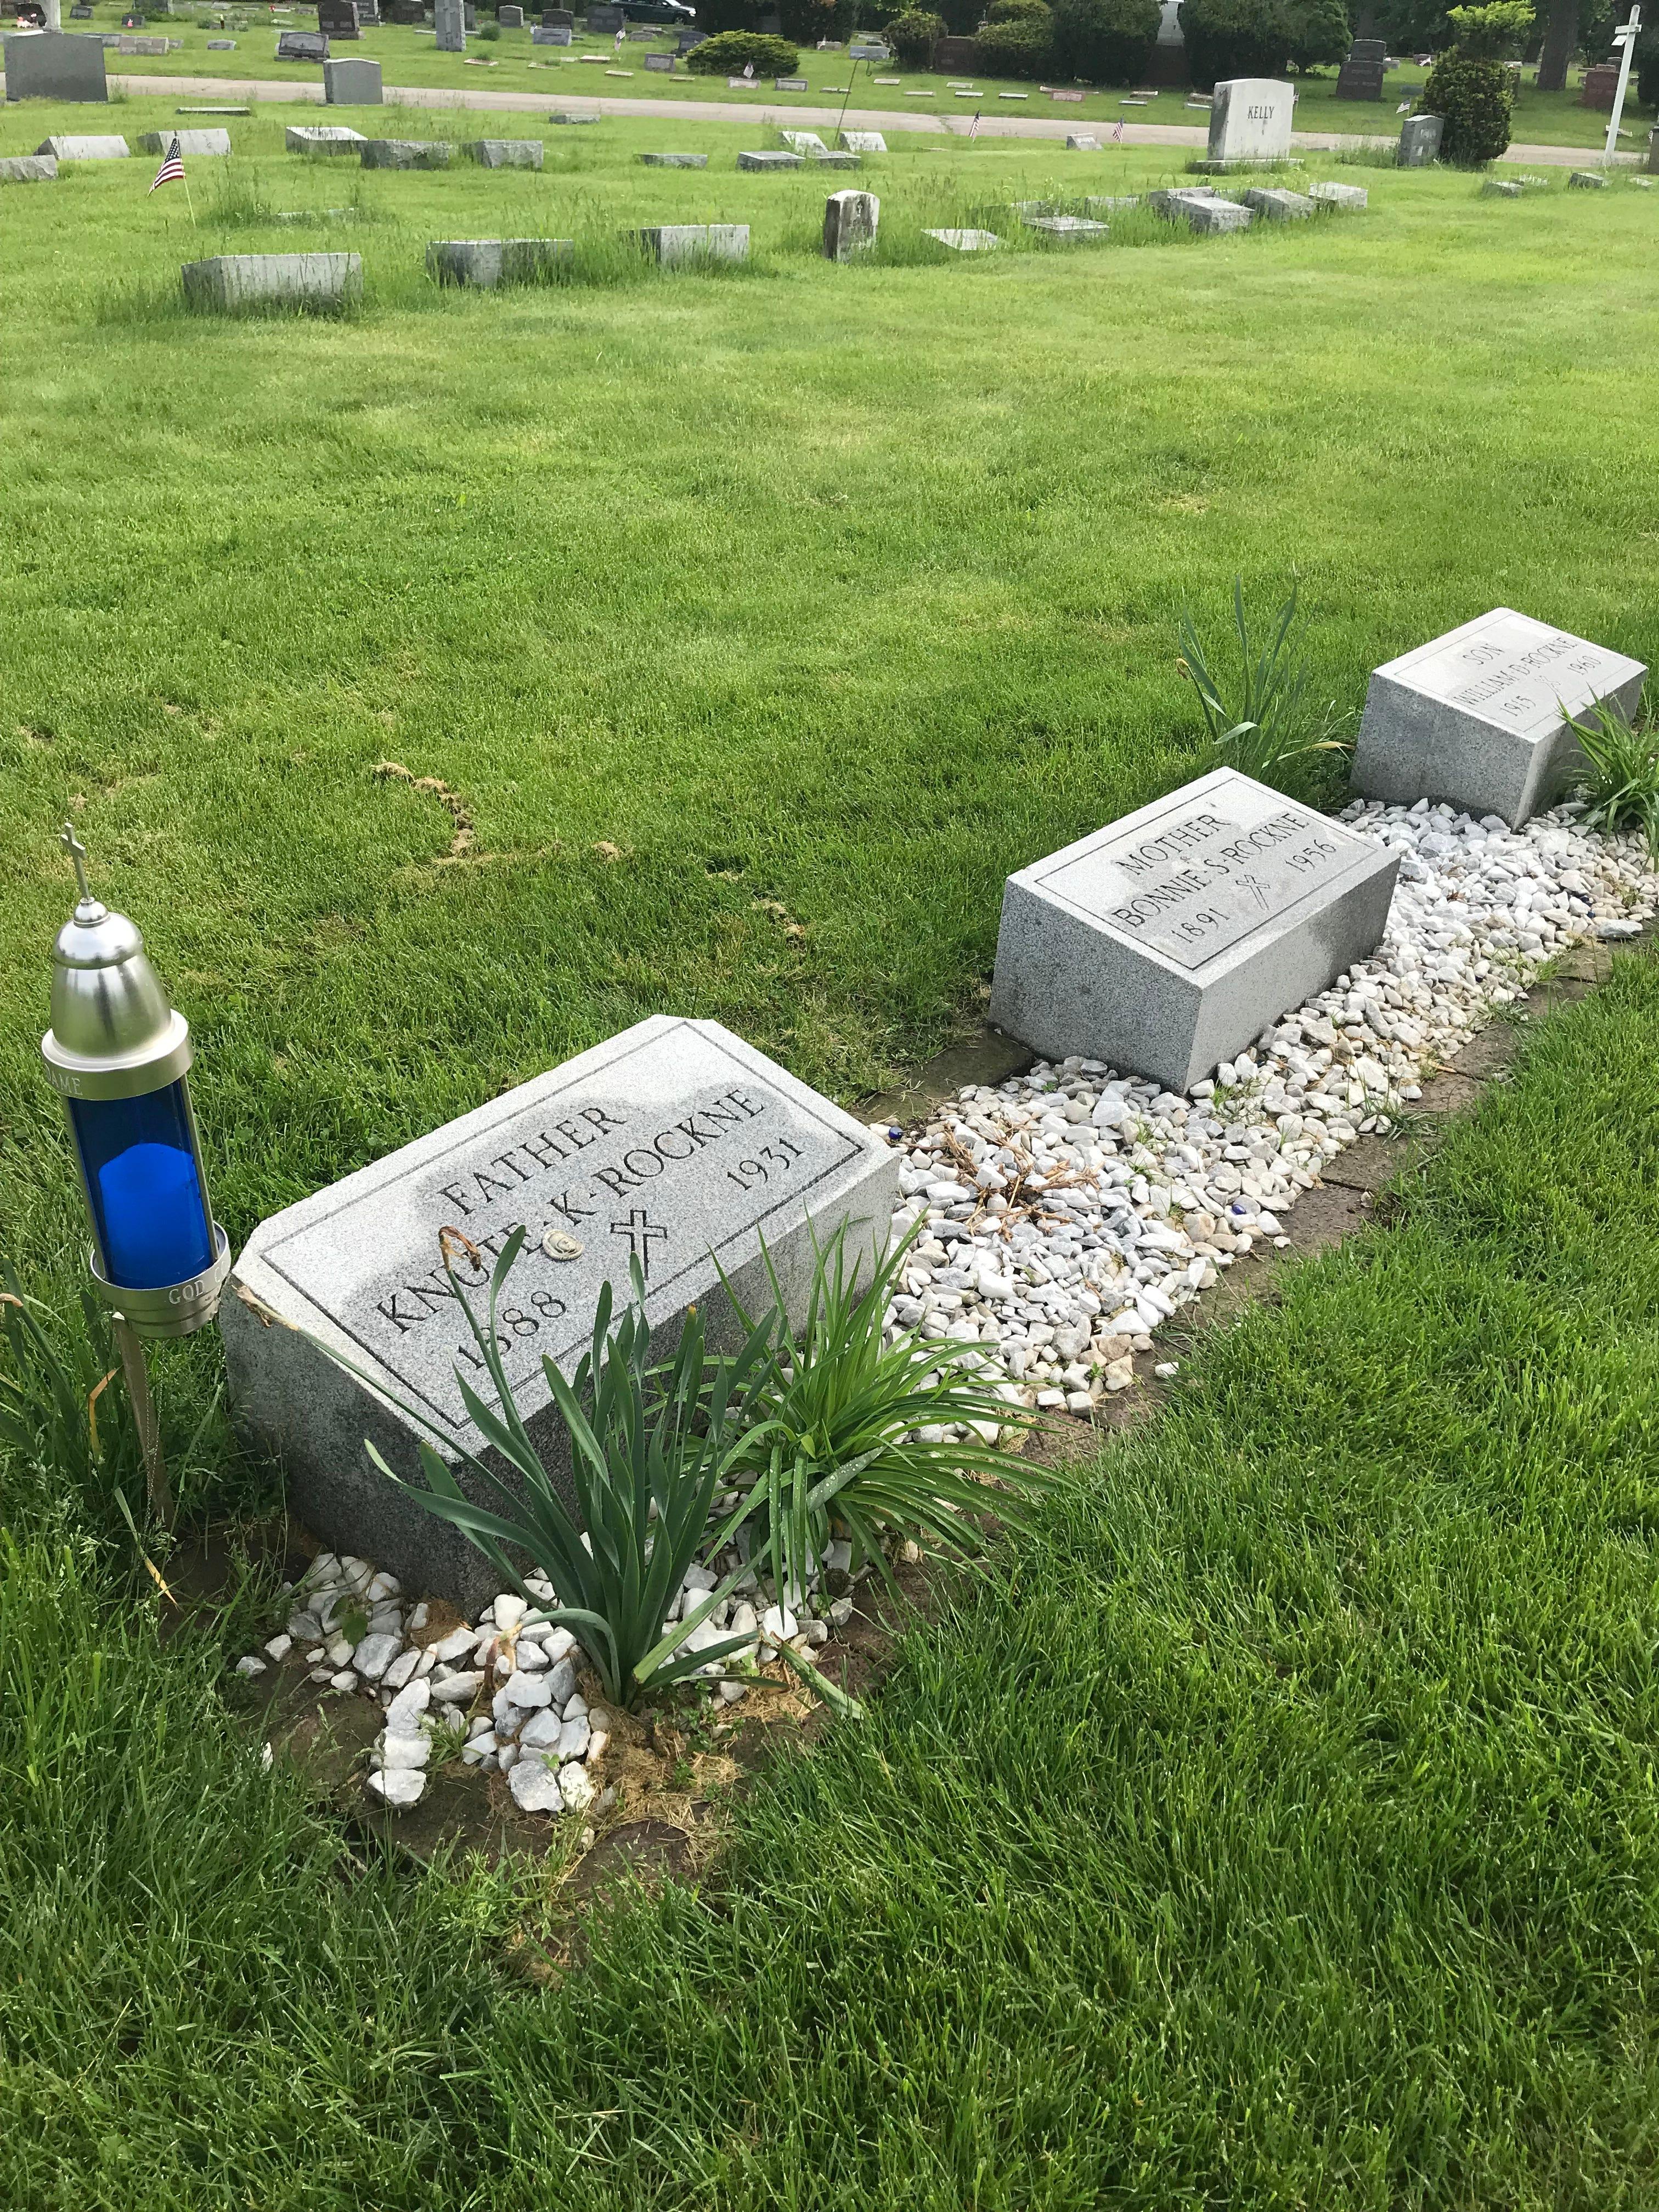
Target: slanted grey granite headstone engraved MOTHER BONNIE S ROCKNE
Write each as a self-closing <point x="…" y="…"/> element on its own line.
<point x="1173" y="937"/>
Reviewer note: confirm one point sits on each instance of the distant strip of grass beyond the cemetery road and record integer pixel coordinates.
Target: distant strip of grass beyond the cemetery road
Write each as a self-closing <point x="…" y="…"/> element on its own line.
<point x="514" y="65"/>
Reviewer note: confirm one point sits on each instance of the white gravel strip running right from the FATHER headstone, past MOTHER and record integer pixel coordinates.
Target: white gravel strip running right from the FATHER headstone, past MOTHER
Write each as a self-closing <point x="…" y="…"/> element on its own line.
<point x="1074" y="1211"/>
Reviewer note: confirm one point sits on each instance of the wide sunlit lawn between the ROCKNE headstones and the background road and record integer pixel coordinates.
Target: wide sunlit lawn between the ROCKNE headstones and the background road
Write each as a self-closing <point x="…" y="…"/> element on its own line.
<point x="844" y="589"/>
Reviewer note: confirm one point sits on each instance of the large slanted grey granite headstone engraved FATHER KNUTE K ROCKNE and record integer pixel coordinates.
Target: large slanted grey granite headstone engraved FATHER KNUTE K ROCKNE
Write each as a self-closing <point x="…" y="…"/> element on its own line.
<point x="676" y="1145"/>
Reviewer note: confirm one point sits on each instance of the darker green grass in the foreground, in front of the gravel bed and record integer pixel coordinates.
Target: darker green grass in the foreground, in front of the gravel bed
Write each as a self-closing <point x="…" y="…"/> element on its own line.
<point x="1275" y="1828"/>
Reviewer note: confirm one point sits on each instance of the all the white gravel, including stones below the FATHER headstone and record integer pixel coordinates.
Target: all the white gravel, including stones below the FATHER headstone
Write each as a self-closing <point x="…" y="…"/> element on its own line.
<point x="1070" y="1215"/>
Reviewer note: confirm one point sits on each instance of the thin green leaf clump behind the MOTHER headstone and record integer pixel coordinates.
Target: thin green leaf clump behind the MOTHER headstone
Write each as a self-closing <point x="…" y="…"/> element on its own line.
<point x="1262" y="718"/>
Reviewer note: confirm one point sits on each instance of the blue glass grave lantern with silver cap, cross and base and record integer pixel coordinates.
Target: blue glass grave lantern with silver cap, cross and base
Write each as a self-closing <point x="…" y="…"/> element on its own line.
<point x="118" y="1054"/>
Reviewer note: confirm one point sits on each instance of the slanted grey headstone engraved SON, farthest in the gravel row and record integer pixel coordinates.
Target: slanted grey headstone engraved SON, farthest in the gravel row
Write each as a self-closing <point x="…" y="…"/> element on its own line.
<point x="1479" y="718"/>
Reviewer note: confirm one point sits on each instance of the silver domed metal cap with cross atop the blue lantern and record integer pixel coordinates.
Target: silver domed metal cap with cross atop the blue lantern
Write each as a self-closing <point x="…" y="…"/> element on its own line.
<point x="112" y="1034"/>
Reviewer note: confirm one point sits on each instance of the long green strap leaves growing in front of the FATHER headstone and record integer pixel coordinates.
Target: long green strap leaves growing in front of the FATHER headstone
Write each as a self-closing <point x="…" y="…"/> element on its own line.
<point x="815" y="1432"/>
